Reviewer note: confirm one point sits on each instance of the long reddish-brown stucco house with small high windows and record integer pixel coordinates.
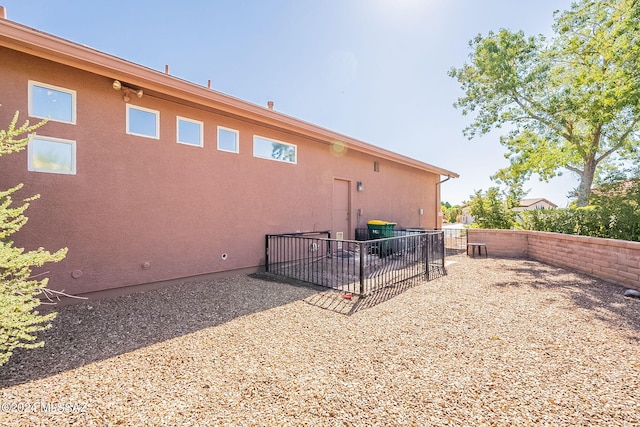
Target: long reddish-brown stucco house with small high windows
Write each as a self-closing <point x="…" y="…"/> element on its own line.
<point x="146" y="177"/>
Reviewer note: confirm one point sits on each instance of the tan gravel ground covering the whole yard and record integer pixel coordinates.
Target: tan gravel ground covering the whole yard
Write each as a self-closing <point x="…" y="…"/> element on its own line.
<point x="496" y="342"/>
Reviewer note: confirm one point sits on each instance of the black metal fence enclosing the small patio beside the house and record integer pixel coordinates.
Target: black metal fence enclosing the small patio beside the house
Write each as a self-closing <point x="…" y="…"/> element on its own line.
<point x="357" y="266"/>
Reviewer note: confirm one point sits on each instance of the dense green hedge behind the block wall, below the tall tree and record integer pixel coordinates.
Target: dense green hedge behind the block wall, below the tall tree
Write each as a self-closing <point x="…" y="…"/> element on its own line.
<point x="615" y="214"/>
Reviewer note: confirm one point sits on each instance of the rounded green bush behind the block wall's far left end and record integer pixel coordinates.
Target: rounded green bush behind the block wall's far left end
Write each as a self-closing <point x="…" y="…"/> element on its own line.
<point x="490" y="210"/>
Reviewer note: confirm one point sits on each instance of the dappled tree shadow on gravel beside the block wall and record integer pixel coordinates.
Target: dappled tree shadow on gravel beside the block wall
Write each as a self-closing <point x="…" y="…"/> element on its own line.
<point x="606" y="299"/>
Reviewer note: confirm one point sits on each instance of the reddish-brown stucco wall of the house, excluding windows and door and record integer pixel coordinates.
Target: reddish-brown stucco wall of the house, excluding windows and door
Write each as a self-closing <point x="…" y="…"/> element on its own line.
<point x="141" y="210"/>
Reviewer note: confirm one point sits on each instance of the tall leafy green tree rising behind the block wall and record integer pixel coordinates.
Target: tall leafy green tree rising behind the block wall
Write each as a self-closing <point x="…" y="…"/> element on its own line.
<point x="571" y="102"/>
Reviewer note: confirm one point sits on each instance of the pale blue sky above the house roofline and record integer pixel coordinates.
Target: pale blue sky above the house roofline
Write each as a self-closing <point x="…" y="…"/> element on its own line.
<point x="375" y="70"/>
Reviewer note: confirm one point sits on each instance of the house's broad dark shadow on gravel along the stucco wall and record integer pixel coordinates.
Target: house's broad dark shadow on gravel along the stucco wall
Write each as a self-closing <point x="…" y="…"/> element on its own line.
<point x="100" y="329"/>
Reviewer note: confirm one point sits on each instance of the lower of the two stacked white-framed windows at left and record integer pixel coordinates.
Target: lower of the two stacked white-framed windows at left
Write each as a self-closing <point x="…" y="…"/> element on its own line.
<point x="52" y="155"/>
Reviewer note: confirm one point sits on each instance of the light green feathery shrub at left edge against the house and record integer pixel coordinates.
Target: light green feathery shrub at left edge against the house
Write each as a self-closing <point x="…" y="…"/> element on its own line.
<point x="19" y="290"/>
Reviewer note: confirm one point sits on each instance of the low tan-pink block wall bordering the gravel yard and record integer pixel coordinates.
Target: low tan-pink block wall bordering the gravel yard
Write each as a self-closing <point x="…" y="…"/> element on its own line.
<point x="616" y="261"/>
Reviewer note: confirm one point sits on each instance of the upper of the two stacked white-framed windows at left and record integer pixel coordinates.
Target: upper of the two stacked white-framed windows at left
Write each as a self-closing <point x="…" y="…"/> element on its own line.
<point x="52" y="102"/>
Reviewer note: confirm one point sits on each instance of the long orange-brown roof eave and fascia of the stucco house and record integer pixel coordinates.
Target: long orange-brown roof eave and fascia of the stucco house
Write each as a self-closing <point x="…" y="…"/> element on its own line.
<point x="162" y="85"/>
